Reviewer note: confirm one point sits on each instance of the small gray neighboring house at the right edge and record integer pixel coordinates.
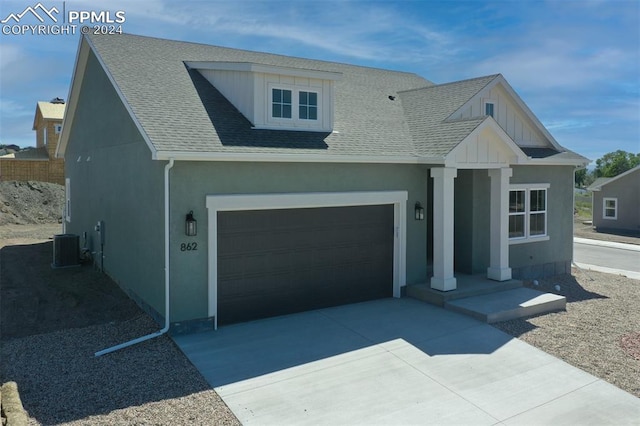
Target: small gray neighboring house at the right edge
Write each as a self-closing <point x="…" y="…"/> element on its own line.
<point x="616" y="202"/>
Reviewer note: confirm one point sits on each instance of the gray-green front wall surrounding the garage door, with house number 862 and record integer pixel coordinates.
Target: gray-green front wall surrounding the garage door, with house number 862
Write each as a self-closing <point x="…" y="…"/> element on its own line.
<point x="191" y="182"/>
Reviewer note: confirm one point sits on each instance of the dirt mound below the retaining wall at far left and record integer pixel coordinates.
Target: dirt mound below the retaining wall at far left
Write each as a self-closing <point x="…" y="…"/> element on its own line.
<point x="30" y="202"/>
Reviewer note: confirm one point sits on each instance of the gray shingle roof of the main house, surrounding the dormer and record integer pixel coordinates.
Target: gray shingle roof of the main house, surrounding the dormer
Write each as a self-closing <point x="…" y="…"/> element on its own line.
<point x="377" y="113"/>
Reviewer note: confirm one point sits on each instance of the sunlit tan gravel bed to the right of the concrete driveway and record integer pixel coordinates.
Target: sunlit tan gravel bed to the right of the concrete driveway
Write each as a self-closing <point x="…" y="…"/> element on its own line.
<point x="598" y="333"/>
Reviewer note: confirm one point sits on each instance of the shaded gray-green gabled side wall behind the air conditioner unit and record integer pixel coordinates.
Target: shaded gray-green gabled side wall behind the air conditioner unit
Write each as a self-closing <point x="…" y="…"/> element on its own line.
<point x="113" y="179"/>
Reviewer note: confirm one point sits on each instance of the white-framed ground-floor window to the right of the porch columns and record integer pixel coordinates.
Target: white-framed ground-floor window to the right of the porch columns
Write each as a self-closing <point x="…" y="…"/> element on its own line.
<point x="527" y="212"/>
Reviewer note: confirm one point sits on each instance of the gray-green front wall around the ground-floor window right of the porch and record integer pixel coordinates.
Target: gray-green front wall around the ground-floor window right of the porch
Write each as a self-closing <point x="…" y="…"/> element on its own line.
<point x="546" y="258"/>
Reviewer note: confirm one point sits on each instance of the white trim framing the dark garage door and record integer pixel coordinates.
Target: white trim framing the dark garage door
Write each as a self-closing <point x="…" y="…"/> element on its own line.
<point x="217" y="203"/>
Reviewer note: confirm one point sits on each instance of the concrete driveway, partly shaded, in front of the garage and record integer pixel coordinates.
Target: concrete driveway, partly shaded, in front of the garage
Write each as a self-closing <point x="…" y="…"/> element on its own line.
<point x="396" y="361"/>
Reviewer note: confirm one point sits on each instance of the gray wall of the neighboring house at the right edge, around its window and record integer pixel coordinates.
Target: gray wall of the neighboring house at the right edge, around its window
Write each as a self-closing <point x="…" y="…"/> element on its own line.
<point x="626" y="190"/>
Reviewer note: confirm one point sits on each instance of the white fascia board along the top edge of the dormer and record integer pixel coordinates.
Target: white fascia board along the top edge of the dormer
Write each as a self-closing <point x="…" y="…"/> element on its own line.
<point x="266" y="69"/>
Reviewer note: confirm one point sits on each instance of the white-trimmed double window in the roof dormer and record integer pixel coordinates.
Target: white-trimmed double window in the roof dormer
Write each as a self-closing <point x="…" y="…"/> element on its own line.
<point x="295" y="105"/>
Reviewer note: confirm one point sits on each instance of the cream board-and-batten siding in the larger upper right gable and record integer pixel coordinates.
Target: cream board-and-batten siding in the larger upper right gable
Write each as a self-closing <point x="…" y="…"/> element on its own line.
<point x="508" y="115"/>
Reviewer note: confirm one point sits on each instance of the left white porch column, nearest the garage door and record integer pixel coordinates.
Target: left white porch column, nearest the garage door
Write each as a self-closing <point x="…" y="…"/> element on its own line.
<point x="443" y="186"/>
